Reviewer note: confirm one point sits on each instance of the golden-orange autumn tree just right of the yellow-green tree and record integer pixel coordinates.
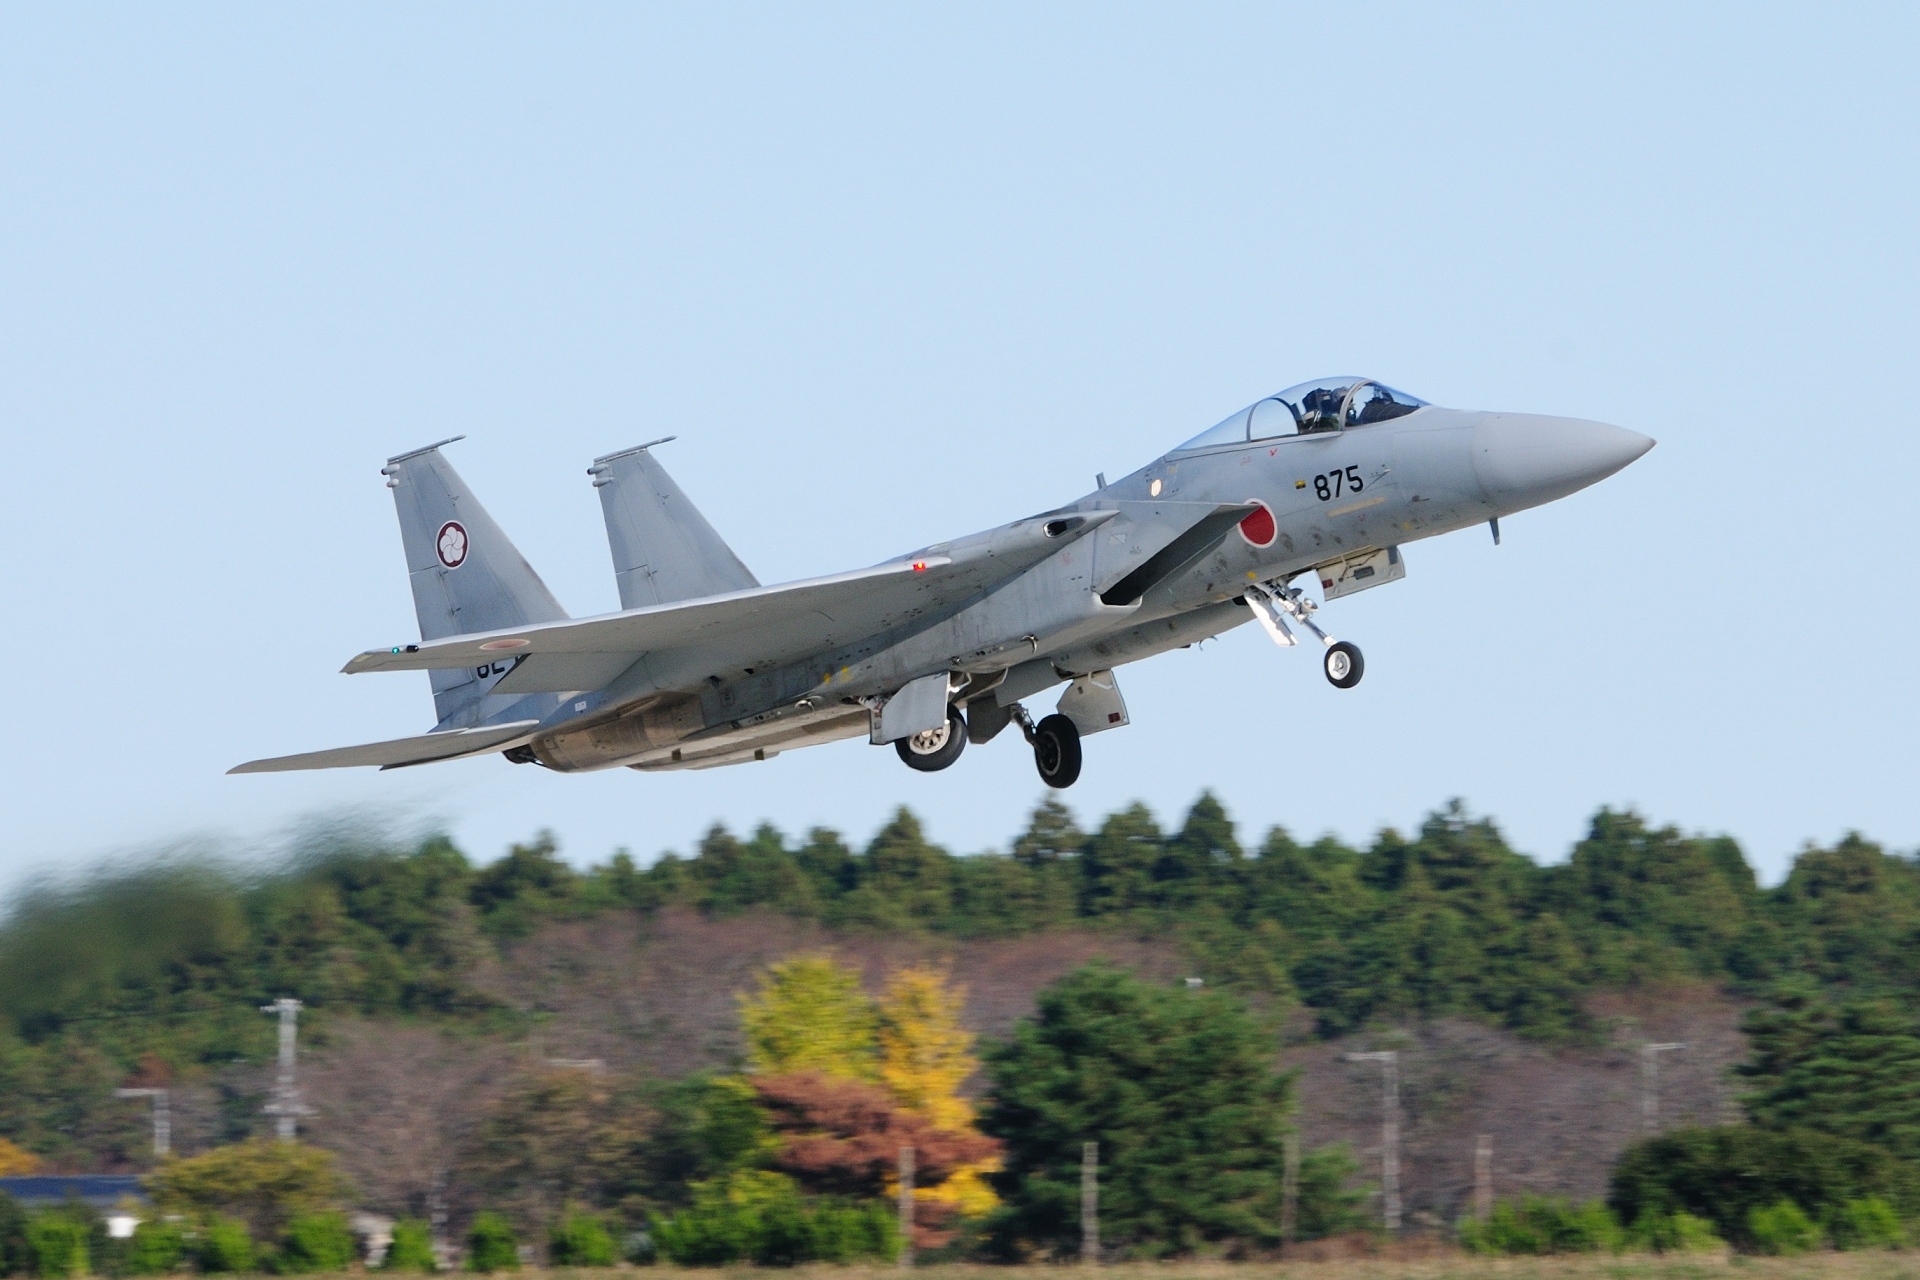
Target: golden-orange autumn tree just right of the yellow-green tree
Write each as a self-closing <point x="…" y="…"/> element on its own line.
<point x="924" y="1060"/>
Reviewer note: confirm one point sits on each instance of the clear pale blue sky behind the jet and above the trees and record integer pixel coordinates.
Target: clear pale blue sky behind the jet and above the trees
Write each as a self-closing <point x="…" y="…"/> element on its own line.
<point x="896" y="273"/>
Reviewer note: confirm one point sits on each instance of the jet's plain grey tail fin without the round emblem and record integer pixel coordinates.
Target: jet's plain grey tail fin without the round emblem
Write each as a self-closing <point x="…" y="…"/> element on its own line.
<point x="663" y="550"/>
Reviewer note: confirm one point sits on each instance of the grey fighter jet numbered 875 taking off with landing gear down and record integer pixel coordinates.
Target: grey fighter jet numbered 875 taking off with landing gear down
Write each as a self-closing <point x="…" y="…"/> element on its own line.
<point x="1322" y="485"/>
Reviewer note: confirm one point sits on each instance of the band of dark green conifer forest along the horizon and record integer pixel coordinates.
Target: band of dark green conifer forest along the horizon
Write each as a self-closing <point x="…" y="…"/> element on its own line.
<point x="156" y="972"/>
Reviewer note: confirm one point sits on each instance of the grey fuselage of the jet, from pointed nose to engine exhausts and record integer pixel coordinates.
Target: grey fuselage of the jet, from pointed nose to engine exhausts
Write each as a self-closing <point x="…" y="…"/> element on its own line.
<point x="1326" y="496"/>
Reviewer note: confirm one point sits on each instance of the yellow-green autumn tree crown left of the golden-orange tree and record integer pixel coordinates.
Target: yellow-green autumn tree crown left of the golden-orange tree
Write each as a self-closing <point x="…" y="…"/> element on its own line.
<point x="811" y="1014"/>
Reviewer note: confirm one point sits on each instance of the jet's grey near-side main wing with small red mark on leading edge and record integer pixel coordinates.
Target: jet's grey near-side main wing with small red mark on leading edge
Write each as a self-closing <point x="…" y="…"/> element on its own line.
<point x="744" y="628"/>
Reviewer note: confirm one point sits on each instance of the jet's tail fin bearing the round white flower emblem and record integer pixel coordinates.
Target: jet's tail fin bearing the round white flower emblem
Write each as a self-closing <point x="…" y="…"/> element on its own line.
<point x="466" y="575"/>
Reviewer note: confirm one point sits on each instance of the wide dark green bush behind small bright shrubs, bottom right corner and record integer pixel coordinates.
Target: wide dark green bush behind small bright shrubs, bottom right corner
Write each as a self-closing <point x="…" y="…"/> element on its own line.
<point x="1727" y="1173"/>
